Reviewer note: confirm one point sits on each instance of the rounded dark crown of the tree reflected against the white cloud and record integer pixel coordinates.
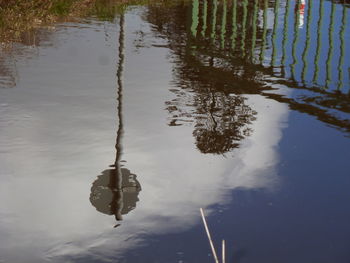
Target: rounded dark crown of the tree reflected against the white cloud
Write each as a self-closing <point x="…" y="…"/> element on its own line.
<point x="221" y="120"/>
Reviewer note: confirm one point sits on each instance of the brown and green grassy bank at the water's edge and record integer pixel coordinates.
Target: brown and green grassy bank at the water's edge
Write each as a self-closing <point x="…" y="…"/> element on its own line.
<point x="18" y="16"/>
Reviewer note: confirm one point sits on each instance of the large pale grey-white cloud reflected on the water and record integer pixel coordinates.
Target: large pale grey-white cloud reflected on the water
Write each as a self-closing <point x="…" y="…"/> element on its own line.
<point x="67" y="150"/>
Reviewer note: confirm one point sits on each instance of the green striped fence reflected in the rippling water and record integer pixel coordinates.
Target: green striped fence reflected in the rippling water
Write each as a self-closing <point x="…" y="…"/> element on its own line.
<point x="300" y="40"/>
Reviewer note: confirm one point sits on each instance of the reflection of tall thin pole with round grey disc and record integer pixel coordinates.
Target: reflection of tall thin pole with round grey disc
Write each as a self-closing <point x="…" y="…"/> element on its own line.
<point x="115" y="191"/>
